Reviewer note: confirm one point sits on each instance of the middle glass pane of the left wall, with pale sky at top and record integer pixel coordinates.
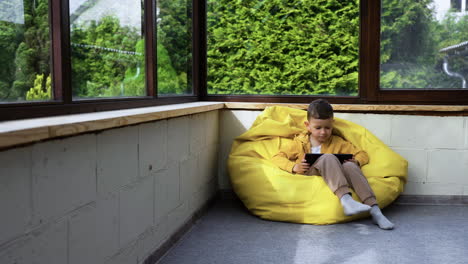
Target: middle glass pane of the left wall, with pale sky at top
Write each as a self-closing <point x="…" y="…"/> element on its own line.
<point x="107" y="48"/>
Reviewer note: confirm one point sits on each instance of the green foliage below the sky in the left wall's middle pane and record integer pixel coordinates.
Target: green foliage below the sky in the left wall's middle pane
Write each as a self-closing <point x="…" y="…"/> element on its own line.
<point x="106" y="58"/>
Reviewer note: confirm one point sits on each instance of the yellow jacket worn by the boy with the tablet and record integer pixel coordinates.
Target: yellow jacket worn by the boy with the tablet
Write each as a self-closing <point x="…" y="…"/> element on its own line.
<point x="293" y="152"/>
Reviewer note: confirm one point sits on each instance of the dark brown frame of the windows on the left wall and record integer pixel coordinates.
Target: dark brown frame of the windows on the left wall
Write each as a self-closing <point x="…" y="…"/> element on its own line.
<point x="63" y="104"/>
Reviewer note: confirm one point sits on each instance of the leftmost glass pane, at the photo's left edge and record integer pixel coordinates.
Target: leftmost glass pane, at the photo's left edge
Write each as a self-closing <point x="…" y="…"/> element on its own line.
<point x="25" y="72"/>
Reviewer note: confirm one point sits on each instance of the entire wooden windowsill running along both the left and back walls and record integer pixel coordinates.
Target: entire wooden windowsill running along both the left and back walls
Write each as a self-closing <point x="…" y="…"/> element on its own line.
<point x="20" y="132"/>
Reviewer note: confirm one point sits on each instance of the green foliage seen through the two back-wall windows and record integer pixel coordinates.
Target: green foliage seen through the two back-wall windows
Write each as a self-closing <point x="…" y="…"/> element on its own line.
<point x="311" y="47"/>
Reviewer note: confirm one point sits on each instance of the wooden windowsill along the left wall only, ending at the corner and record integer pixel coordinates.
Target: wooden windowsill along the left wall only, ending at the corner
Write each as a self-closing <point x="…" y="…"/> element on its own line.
<point x="20" y="132"/>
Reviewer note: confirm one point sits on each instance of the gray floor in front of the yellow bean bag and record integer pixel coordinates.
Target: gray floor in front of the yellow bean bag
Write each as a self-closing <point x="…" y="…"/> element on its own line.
<point x="229" y="234"/>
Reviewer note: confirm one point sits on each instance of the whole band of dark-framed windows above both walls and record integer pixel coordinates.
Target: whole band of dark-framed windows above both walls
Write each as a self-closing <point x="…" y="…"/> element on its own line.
<point x="61" y="57"/>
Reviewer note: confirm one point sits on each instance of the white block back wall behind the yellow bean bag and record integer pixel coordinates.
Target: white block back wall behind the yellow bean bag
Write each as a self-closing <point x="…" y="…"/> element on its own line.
<point x="435" y="147"/>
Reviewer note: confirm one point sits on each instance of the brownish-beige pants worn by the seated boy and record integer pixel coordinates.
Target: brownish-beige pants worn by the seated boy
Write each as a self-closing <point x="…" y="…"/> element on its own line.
<point x="339" y="177"/>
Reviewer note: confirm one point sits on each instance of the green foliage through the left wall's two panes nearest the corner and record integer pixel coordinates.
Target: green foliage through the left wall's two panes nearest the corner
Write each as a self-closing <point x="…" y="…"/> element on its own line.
<point x="101" y="73"/>
